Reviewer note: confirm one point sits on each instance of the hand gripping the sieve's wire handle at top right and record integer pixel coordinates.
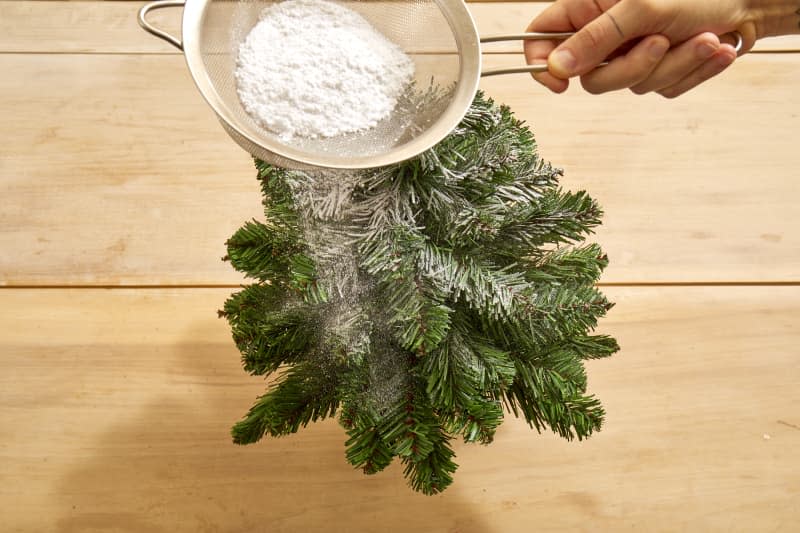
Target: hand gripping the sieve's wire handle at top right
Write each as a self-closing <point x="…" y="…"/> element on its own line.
<point x="672" y="45"/>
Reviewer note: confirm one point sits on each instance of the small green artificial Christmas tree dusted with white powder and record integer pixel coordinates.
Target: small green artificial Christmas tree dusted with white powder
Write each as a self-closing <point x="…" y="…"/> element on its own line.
<point x="416" y="300"/>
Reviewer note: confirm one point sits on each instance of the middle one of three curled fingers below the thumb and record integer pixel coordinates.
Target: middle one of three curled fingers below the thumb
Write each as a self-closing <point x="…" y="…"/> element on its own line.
<point x="679" y="63"/>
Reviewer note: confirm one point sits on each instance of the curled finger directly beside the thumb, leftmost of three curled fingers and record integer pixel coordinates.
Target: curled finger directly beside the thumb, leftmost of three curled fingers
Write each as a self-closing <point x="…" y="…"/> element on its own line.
<point x="629" y="69"/>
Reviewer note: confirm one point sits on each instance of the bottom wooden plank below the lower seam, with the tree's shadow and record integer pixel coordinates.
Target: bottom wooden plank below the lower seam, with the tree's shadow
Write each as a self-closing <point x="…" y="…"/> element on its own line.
<point x="116" y="404"/>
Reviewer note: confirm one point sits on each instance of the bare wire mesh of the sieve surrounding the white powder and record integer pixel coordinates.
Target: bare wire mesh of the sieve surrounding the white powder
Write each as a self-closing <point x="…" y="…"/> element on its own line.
<point x="418" y="27"/>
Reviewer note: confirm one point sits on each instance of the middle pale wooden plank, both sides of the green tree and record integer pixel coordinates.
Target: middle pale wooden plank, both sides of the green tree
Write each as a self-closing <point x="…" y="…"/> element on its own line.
<point x="114" y="171"/>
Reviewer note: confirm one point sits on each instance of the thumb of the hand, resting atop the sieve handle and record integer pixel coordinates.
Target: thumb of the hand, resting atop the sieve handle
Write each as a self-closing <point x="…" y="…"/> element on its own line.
<point x="593" y="43"/>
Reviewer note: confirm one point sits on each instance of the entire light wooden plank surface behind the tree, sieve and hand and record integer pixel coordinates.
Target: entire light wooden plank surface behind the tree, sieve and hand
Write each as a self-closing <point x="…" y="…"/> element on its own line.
<point x="118" y="384"/>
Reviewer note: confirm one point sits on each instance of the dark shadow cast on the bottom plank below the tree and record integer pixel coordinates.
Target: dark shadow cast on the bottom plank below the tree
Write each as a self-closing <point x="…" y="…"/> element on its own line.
<point x="172" y="466"/>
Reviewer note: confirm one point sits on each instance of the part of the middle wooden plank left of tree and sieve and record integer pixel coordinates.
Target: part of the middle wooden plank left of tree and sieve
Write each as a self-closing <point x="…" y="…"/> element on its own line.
<point x="109" y="160"/>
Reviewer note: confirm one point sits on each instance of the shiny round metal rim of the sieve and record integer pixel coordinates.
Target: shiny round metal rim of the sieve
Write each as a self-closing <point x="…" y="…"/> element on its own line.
<point x="465" y="34"/>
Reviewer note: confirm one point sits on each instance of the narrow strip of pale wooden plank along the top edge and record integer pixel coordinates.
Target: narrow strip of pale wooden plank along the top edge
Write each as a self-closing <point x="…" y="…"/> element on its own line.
<point x="105" y="27"/>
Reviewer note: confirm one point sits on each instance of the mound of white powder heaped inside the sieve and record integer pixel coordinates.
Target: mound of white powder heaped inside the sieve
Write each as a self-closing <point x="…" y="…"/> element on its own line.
<point x="312" y="68"/>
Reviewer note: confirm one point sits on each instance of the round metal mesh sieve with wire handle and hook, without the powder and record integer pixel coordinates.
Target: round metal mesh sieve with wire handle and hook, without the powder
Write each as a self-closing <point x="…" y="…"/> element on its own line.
<point x="439" y="36"/>
